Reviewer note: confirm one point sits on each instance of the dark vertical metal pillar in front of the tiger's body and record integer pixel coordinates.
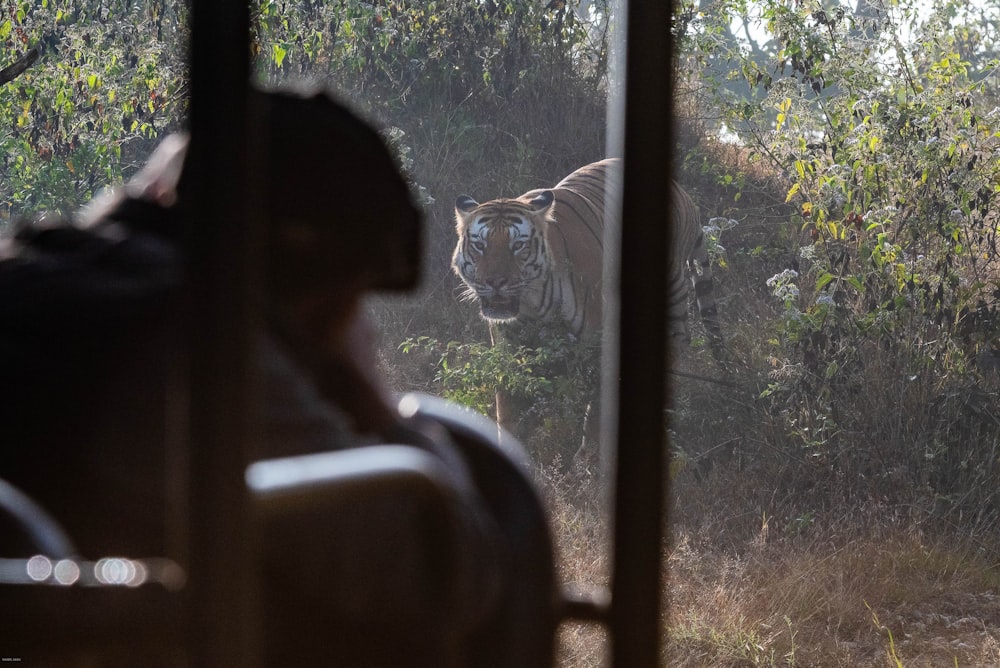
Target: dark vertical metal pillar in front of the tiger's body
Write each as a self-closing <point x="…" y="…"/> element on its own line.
<point x="639" y="522"/>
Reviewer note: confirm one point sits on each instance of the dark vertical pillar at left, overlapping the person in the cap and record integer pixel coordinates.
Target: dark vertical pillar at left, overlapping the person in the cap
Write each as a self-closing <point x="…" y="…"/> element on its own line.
<point x="222" y="587"/>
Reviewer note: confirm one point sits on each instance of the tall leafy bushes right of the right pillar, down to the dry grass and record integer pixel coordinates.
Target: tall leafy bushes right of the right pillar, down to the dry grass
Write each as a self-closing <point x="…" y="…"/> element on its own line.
<point x="881" y="341"/>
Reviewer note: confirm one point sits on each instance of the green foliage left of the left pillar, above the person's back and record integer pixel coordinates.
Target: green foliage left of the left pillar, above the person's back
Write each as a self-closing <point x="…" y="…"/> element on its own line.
<point x="109" y="81"/>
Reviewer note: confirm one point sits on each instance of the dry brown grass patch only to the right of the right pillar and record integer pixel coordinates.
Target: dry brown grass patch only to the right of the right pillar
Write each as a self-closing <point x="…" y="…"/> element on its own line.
<point x="873" y="598"/>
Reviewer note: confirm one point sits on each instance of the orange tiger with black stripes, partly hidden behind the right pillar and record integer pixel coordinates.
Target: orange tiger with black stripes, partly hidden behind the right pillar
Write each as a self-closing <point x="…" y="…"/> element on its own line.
<point x="540" y="256"/>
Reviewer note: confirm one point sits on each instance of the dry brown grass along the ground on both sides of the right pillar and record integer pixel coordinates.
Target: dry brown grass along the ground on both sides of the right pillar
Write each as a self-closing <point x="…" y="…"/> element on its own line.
<point x="853" y="592"/>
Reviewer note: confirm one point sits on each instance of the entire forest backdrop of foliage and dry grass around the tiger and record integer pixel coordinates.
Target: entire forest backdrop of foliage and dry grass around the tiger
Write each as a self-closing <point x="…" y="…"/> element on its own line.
<point x="834" y="489"/>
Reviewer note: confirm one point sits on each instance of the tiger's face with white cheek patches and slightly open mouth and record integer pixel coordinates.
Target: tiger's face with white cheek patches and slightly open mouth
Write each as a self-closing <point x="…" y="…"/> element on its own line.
<point x="501" y="253"/>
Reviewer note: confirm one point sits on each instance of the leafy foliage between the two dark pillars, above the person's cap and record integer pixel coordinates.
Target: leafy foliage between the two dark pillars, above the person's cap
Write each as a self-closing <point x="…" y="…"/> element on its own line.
<point x="395" y="50"/>
